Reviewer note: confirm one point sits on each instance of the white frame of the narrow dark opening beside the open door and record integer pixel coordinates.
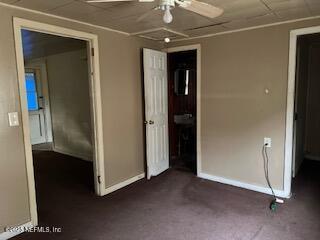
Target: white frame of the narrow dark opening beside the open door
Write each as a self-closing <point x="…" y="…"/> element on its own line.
<point x="196" y="47"/>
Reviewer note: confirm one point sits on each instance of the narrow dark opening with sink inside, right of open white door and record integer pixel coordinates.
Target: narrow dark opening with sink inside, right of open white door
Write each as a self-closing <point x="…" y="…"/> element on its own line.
<point x="182" y="90"/>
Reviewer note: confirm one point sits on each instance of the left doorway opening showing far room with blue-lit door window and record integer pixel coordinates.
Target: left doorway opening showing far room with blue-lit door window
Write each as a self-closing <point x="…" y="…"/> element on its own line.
<point x="64" y="165"/>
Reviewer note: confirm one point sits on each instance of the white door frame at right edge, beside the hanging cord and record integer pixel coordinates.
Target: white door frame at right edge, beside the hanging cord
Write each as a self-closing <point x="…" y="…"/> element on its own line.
<point x="289" y="144"/>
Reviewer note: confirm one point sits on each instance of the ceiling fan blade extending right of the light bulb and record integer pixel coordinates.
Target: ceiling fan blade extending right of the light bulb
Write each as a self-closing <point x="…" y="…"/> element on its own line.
<point x="203" y="9"/>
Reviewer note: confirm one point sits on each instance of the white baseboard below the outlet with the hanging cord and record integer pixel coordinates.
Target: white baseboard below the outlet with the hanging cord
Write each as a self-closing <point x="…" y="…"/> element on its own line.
<point x="278" y="193"/>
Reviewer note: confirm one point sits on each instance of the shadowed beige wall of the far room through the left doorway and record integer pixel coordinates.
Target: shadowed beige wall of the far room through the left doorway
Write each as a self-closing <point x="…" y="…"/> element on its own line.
<point x="70" y="103"/>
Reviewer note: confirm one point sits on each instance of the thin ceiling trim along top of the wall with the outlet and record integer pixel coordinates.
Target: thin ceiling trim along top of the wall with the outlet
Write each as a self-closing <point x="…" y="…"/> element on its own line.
<point x="247" y="29"/>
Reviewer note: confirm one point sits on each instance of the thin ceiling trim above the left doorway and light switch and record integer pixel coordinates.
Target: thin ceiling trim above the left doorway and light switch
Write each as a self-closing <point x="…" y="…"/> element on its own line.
<point x="63" y="18"/>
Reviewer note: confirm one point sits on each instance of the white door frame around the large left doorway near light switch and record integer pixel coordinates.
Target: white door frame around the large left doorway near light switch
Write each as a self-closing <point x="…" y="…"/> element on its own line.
<point x="95" y="92"/>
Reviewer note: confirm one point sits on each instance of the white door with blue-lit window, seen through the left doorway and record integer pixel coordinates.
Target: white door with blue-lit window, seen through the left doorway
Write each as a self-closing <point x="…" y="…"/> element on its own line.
<point x="35" y="107"/>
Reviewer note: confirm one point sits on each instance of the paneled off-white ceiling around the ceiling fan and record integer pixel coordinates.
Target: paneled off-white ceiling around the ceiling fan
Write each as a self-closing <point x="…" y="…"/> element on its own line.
<point x="123" y="16"/>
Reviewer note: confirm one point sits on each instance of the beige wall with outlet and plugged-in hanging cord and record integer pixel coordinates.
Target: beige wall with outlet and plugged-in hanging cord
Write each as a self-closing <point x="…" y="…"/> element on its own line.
<point x="236" y="114"/>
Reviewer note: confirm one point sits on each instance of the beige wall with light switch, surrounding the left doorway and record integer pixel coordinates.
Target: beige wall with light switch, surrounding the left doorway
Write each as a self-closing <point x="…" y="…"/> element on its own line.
<point x="121" y="103"/>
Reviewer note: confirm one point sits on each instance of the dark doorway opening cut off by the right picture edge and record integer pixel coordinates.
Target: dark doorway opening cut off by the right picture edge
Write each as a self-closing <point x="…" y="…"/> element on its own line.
<point x="307" y="101"/>
